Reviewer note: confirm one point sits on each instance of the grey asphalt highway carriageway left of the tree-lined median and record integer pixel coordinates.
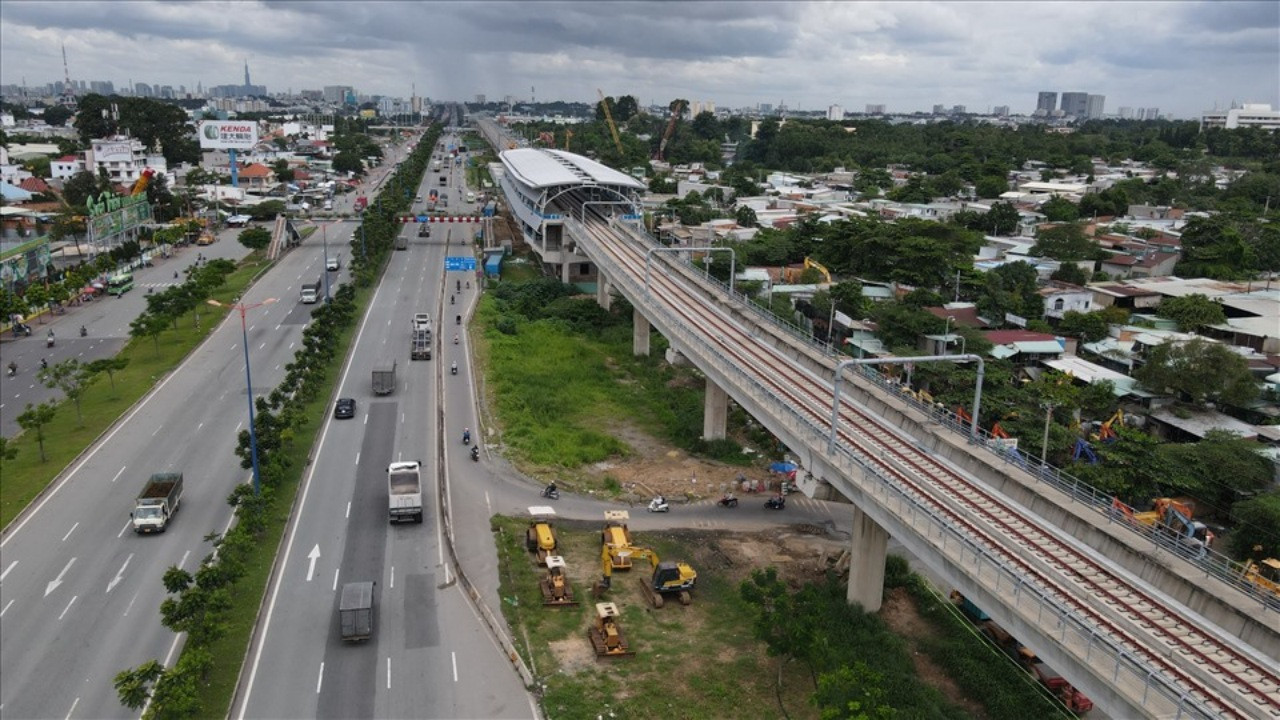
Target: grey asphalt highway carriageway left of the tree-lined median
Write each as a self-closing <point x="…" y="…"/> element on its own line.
<point x="75" y="576"/>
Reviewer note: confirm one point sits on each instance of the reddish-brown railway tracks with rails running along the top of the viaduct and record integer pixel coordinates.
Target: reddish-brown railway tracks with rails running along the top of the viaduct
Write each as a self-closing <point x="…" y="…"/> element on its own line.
<point x="1220" y="680"/>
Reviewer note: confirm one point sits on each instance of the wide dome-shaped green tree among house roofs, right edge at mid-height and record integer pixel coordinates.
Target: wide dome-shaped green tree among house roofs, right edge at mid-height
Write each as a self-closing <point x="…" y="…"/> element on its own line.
<point x="1200" y="370"/>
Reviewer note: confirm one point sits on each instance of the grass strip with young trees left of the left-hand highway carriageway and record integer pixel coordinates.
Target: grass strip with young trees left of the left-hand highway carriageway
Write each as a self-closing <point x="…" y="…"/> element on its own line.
<point x="26" y="476"/>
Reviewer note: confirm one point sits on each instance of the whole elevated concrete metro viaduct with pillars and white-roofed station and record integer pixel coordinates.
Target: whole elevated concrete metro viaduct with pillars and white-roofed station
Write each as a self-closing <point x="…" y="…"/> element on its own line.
<point x="1142" y="632"/>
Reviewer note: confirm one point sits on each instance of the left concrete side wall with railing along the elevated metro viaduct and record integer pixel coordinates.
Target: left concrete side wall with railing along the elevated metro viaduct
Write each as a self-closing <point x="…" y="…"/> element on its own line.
<point x="1104" y="655"/>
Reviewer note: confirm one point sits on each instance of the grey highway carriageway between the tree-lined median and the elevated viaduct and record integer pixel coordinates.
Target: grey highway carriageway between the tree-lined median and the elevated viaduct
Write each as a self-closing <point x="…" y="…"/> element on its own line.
<point x="431" y="655"/>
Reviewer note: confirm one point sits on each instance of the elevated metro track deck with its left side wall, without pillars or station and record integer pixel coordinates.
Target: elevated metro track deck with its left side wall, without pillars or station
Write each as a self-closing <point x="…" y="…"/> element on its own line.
<point x="1155" y="655"/>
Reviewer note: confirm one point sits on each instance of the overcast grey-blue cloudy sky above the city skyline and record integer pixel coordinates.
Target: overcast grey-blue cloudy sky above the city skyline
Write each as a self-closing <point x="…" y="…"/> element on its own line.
<point x="1182" y="57"/>
